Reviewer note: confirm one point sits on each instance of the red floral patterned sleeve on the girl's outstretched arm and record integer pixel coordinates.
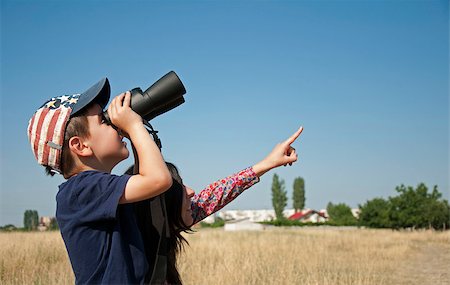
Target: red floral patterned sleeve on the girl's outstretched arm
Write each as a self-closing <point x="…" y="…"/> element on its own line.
<point x="218" y="194"/>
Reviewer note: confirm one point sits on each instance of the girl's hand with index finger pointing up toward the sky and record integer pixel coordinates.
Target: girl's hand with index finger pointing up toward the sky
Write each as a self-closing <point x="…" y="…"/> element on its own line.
<point x="282" y="154"/>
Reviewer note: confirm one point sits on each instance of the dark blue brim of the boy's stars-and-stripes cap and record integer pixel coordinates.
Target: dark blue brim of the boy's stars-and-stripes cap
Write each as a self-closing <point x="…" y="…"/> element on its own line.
<point x="99" y="93"/>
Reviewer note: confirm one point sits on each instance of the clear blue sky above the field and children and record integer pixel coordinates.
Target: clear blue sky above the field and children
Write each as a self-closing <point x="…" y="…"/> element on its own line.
<point x="368" y="80"/>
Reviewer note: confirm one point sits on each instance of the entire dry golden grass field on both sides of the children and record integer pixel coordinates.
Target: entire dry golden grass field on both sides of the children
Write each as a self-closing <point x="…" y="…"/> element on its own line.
<point x="273" y="256"/>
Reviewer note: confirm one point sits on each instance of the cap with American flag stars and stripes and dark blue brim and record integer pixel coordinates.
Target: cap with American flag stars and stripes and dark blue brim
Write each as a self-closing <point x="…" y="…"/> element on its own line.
<point x="47" y="126"/>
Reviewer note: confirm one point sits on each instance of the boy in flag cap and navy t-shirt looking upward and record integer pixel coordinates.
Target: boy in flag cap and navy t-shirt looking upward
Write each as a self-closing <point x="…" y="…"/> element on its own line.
<point x="68" y="135"/>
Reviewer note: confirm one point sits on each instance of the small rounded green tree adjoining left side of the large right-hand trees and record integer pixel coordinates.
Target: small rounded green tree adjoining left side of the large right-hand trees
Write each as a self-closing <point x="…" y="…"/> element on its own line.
<point x="375" y="213"/>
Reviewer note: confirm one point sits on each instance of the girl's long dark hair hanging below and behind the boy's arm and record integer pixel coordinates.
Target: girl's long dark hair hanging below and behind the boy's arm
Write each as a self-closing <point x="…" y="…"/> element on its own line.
<point x="175" y="243"/>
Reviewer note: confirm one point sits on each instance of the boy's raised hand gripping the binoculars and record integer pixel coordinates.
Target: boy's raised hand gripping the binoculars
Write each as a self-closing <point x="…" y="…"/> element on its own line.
<point x="121" y="114"/>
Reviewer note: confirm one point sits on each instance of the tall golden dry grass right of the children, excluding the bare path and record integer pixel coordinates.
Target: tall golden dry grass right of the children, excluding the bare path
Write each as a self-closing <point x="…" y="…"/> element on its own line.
<point x="301" y="256"/>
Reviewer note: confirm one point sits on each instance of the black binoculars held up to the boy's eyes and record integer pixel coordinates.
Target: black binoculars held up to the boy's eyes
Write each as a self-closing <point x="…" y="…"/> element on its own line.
<point x="164" y="95"/>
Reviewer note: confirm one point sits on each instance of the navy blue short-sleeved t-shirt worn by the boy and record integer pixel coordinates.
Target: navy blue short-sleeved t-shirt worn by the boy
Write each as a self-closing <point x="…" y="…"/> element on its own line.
<point x="101" y="237"/>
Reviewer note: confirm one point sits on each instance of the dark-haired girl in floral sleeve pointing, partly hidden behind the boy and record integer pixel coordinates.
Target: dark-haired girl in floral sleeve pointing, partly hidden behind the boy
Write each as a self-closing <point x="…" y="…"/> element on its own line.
<point x="163" y="218"/>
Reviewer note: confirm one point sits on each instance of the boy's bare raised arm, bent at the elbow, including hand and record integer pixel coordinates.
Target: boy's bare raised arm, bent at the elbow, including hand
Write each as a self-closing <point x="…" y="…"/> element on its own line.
<point x="153" y="177"/>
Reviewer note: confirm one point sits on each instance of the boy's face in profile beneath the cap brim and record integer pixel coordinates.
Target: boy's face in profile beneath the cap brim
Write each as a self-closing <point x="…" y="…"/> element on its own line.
<point x="104" y="140"/>
